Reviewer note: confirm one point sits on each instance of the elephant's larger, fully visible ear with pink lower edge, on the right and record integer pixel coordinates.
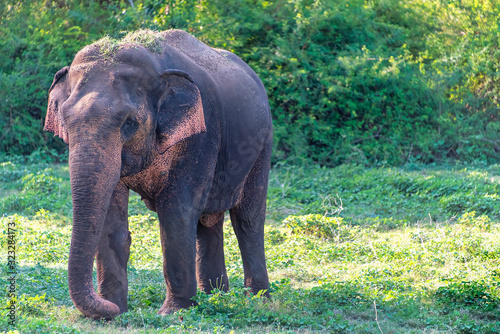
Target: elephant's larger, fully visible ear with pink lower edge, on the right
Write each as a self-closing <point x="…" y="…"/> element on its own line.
<point x="180" y="110"/>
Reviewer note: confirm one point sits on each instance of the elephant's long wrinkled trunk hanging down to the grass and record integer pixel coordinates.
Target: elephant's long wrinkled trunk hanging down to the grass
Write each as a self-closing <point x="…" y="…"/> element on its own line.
<point x="94" y="173"/>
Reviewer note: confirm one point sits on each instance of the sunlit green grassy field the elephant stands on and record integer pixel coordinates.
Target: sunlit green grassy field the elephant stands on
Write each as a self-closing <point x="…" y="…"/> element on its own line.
<point x="349" y="250"/>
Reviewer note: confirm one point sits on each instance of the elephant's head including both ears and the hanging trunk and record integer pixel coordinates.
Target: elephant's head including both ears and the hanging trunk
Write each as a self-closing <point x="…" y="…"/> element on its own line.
<point x="117" y="115"/>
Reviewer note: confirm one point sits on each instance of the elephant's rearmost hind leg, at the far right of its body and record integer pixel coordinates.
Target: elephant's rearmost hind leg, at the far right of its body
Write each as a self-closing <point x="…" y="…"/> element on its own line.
<point x="248" y="218"/>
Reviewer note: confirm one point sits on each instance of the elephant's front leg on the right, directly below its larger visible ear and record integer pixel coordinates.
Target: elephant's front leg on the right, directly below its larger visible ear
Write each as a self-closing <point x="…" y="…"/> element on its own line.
<point x="178" y="239"/>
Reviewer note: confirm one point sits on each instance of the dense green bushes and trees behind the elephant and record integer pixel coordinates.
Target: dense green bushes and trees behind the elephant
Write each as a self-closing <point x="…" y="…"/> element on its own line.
<point x="368" y="81"/>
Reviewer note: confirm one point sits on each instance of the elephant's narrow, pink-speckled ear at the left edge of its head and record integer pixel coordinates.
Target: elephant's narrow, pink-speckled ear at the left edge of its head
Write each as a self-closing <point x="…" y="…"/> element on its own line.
<point x="58" y="93"/>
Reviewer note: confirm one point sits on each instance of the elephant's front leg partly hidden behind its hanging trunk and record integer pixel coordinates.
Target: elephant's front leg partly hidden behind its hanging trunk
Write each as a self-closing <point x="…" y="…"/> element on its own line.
<point x="113" y="251"/>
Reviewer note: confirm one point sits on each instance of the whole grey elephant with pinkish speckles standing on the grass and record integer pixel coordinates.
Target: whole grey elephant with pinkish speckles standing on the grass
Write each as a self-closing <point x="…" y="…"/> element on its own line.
<point x="186" y="126"/>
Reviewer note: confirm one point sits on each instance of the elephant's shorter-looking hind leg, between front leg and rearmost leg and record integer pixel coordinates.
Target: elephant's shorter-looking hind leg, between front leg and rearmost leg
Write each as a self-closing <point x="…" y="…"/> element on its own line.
<point x="210" y="265"/>
